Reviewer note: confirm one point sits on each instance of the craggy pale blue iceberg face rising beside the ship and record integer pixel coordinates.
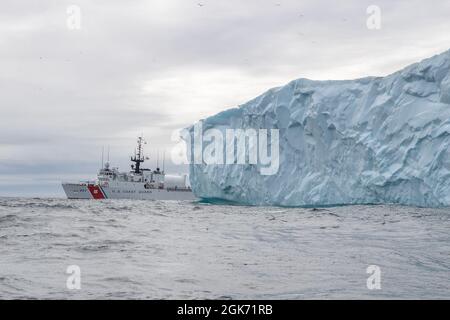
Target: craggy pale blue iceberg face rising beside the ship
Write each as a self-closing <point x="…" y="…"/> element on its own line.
<point x="371" y="140"/>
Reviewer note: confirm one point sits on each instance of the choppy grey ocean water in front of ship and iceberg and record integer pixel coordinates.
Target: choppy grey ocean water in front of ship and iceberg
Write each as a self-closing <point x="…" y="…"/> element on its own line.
<point x="190" y="250"/>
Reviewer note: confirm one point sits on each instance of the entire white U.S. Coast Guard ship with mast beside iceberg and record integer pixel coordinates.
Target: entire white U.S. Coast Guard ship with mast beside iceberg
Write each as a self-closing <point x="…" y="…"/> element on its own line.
<point x="139" y="184"/>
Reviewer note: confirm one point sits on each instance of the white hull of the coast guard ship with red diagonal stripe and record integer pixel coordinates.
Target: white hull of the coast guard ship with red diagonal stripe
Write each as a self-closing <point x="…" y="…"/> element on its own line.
<point x="135" y="191"/>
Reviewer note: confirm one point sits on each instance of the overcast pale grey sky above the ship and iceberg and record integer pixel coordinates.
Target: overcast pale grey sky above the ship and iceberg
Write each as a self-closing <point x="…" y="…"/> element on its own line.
<point x="156" y="66"/>
